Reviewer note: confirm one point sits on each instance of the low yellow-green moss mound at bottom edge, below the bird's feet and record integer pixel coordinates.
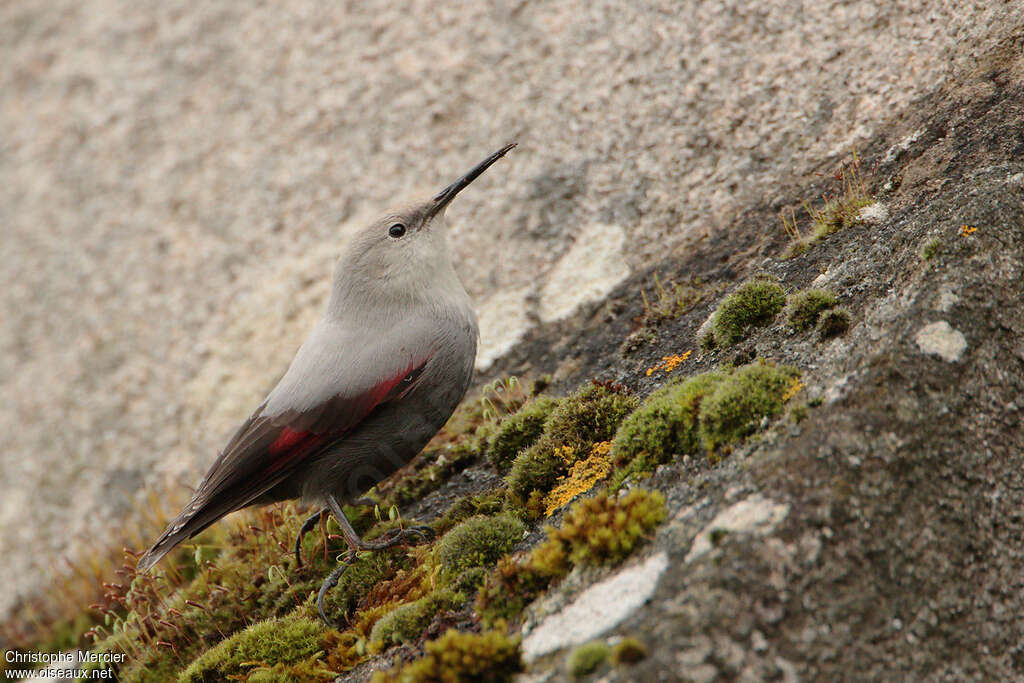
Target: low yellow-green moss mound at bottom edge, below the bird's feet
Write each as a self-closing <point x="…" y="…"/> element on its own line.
<point x="285" y="642"/>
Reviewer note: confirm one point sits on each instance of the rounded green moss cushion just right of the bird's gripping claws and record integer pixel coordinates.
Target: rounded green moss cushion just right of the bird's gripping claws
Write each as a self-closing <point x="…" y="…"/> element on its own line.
<point x="479" y="542"/>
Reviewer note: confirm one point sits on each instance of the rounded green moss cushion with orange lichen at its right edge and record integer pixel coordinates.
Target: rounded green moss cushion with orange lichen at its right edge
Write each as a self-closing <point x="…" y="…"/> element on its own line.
<point x="736" y="408"/>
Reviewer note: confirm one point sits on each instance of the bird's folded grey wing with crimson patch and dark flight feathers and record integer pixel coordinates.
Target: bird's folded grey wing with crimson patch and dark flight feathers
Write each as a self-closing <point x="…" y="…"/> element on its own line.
<point x="327" y="393"/>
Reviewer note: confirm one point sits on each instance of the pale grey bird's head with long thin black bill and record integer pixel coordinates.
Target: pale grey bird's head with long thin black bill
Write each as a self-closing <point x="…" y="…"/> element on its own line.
<point x="404" y="254"/>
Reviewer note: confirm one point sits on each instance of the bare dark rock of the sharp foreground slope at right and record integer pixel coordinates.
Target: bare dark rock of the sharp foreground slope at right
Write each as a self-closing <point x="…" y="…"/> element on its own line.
<point x="902" y="550"/>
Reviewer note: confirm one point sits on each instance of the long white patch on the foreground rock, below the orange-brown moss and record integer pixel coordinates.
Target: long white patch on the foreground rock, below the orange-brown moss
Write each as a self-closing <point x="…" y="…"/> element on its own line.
<point x="601" y="608"/>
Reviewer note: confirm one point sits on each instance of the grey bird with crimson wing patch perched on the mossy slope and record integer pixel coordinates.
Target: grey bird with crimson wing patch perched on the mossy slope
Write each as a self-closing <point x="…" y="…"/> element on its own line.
<point x="379" y="375"/>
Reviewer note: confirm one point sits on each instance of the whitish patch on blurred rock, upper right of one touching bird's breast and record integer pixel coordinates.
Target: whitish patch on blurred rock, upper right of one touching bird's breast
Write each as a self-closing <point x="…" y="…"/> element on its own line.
<point x="590" y="270"/>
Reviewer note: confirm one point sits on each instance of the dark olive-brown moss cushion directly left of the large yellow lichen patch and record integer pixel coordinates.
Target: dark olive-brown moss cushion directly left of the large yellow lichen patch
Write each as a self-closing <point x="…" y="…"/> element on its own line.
<point x="589" y="416"/>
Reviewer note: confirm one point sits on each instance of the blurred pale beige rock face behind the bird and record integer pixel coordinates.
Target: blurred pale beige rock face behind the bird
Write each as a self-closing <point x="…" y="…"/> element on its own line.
<point x="177" y="180"/>
